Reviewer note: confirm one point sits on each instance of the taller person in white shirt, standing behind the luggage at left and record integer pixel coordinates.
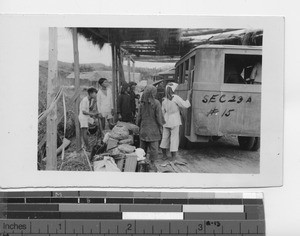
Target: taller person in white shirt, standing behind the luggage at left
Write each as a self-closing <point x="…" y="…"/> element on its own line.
<point x="105" y="102"/>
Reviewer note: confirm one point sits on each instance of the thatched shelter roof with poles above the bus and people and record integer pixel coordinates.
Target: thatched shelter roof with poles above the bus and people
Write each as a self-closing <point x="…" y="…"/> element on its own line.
<point x="167" y="44"/>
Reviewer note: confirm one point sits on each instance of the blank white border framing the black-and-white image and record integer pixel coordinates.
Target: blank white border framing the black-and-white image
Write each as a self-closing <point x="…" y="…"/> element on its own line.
<point x="19" y="42"/>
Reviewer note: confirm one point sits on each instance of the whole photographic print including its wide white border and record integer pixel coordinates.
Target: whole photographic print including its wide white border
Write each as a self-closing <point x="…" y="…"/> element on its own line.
<point x="157" y="101"/>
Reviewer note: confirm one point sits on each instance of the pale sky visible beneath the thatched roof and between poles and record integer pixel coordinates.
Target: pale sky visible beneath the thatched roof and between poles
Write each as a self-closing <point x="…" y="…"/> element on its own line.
<point x="88" y="53"/>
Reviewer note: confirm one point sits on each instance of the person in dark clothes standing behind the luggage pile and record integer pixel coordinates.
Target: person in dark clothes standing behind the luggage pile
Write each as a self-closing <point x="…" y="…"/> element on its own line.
<point x="124" y="104"/>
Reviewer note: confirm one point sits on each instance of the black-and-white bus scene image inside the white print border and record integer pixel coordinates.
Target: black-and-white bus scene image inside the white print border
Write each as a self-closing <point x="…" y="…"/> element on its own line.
<point x="158" y="100"/>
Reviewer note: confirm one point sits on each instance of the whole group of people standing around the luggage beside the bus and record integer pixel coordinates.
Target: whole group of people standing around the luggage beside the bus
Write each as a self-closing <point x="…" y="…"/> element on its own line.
<point x="159" y="123"/>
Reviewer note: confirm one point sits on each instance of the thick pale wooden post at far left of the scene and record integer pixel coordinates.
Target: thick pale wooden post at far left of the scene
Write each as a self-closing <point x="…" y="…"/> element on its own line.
<point x="51" y="157"/>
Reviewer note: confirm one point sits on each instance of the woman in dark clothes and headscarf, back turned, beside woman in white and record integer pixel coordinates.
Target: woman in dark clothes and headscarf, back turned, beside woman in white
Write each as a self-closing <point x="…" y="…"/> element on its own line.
<point x="150" y="121"/>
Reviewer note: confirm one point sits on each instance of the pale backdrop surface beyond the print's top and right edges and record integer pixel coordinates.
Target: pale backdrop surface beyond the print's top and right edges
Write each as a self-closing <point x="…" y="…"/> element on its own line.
<point x="282" y="203"/>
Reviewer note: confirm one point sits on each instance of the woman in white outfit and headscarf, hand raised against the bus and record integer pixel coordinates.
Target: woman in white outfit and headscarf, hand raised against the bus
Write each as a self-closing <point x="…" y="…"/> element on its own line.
<point x="170" y="109"/>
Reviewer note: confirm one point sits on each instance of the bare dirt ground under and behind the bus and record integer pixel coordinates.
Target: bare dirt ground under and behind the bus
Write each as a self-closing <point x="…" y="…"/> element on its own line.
<point x="222" y="156"/>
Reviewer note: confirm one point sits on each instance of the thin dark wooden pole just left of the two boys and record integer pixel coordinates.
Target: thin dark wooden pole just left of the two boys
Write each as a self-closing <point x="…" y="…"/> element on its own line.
<point x="77" y="87"/>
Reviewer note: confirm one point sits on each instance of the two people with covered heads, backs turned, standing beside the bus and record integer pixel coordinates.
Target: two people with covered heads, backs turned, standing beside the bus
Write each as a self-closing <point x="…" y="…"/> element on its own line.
<point x="159" y="124"/>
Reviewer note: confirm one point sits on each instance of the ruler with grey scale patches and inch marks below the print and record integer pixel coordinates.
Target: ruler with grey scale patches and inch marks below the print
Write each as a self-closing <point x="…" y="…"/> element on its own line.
<point x="131" y="213"/>
